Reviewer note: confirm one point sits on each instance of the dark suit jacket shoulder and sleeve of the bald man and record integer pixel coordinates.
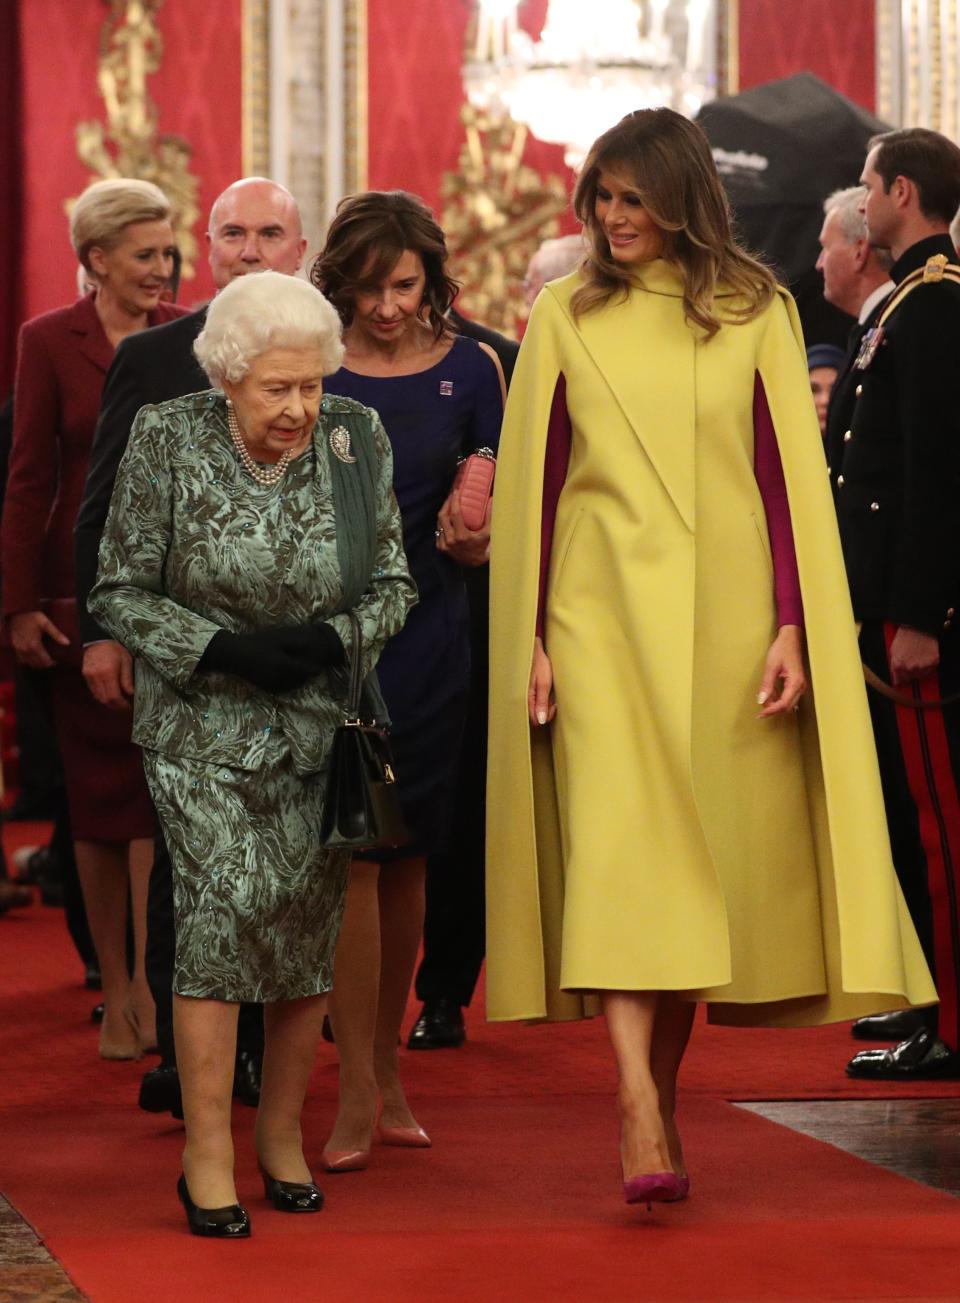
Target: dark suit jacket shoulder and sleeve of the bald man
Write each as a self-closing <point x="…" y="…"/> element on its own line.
<point x="149" y="368"/>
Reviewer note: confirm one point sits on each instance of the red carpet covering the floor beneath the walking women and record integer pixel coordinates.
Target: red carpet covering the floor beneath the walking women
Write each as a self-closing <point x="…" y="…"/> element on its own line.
<point x="518" y="1201"/>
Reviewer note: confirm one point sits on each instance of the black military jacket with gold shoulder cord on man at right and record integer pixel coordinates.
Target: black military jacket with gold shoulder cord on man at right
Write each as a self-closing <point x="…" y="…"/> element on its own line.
<point x="897" y="479"/>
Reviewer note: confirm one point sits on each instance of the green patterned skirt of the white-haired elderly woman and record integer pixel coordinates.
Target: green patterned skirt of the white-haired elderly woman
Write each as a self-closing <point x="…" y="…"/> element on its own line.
<point x="257" y="901"/>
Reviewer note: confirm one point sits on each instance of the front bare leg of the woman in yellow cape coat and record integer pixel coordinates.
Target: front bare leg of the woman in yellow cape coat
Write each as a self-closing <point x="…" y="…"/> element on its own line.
<point x="631" y="1017"/>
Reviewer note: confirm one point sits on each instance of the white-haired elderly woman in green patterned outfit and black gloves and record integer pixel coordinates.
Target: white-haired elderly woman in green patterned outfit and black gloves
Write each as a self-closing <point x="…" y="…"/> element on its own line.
<point x="247" y="524"/>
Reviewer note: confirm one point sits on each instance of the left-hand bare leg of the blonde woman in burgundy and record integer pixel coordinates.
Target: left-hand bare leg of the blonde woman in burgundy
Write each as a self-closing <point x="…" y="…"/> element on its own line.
<point x="105" y="879"/>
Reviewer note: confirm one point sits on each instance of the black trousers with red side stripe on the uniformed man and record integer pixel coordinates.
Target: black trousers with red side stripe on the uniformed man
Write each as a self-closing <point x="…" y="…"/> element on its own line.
<point x="919" y="754"/>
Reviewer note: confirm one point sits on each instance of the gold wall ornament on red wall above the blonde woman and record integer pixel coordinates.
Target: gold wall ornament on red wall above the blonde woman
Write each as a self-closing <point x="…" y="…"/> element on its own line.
<point x="130" y="144"/>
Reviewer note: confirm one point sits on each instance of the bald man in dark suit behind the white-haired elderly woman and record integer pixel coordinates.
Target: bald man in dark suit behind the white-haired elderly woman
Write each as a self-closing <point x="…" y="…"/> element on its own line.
<point x="255" y="226"/>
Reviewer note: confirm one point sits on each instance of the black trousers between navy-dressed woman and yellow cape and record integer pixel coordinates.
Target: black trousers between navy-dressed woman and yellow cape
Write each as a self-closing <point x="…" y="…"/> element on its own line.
<point x="455" y="926"/>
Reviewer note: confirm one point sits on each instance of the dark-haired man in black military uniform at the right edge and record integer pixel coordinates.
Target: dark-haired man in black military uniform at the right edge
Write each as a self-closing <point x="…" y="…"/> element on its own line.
<point x="897" y="480"/>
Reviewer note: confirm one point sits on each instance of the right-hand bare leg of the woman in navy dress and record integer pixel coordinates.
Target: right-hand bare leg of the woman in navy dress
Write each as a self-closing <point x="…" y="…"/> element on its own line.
<point x="402" y="928"/>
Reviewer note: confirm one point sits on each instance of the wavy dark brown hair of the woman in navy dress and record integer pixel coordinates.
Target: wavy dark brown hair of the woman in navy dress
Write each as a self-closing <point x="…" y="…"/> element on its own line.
<point x="368" y="238"/>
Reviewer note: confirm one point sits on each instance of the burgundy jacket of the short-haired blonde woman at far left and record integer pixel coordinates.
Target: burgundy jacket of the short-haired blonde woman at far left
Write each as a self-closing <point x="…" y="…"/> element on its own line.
<point x="64" y="358"/>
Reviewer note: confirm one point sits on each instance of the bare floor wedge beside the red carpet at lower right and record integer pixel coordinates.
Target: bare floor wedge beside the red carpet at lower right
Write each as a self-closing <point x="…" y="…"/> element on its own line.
<point x="914" y="1138"/>
